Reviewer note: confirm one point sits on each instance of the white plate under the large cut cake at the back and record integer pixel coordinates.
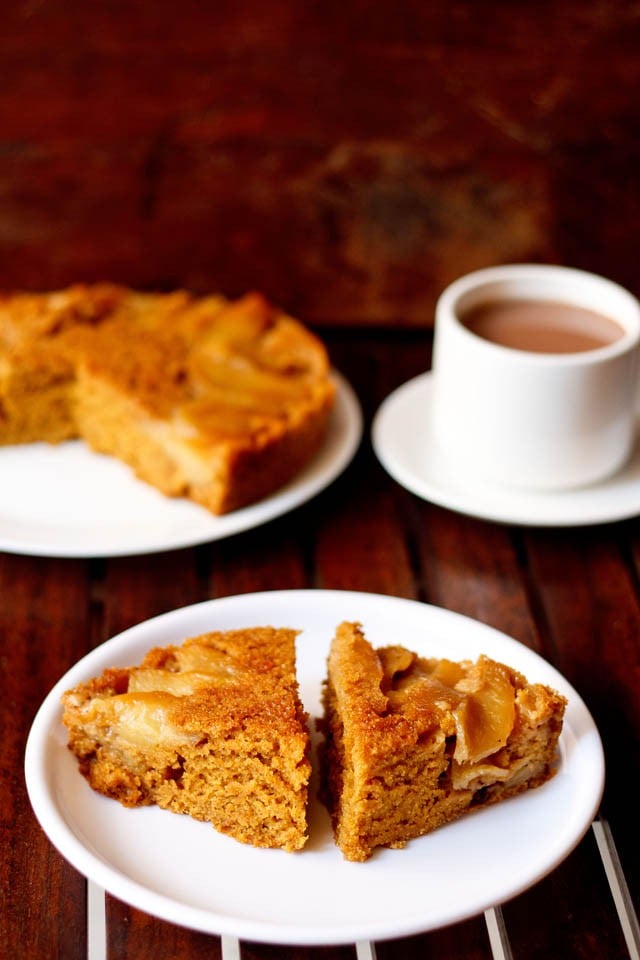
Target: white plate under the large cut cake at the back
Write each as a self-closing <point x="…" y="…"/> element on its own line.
<point x="66" y="501"/>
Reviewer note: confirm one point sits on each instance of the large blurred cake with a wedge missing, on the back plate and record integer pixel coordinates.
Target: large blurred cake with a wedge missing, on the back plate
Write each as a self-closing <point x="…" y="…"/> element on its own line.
<point x="218" y="401"/>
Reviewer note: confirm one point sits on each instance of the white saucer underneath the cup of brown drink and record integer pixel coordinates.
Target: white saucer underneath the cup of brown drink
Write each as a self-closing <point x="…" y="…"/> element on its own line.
<point x="406" y="447"/>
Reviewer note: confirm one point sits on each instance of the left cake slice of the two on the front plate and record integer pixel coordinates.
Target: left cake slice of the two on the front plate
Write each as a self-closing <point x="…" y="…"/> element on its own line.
<point x="213" y="728"/>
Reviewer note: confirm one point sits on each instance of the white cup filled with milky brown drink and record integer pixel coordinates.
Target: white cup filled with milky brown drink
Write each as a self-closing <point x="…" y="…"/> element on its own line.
<point x="525" y="415"/>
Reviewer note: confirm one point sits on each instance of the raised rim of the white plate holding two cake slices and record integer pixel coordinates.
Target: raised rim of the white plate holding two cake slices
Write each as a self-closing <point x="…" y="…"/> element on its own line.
<point x="39" y="774"/>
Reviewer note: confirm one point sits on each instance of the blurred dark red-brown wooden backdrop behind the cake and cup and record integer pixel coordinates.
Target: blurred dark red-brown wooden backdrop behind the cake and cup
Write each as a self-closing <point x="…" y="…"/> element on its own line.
<point x="347" y="158"/>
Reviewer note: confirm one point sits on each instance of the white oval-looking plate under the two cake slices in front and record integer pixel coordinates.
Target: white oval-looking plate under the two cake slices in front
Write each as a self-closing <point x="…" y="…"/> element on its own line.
<point x="185" y="872"/>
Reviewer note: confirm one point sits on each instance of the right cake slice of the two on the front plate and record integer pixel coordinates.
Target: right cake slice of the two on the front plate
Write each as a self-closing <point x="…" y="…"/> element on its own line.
<point x="413" y="743"/>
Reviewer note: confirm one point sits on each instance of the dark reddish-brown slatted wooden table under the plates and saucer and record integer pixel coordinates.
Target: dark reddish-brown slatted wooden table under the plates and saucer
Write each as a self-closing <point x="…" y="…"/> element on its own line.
<point x="570" y="594"/>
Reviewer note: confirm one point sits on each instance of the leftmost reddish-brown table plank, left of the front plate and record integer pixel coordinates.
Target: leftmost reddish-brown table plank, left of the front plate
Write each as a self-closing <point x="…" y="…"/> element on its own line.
<point x="44" y="625"/>
